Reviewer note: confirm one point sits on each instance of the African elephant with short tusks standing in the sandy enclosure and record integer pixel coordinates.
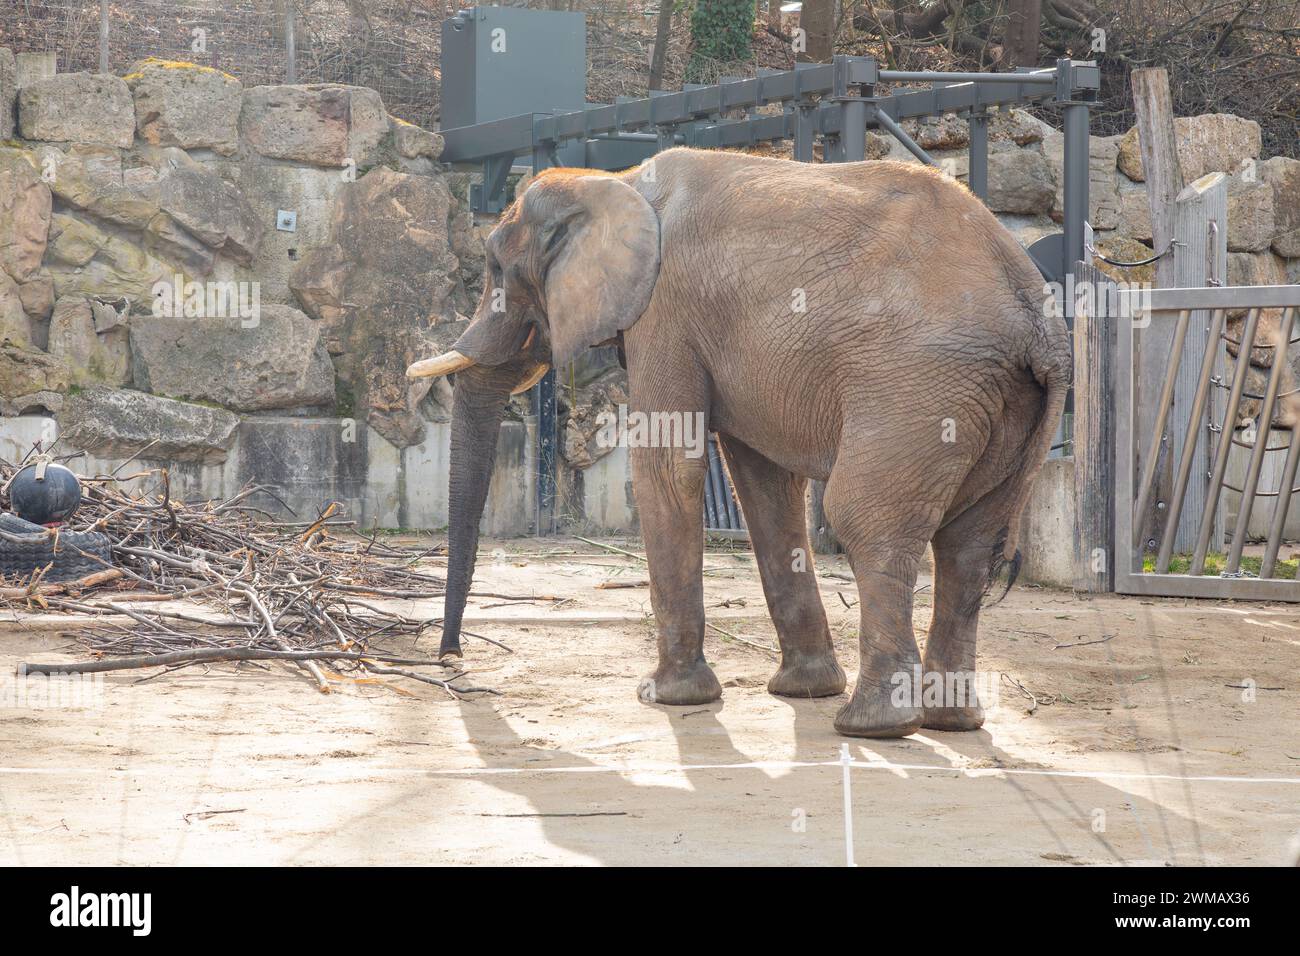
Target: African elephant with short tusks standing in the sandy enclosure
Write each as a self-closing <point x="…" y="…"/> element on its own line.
<point x="870" y="326"/>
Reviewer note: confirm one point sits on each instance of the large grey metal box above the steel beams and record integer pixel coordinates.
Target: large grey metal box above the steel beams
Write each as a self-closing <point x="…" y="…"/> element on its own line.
<point x="501" y="62"/>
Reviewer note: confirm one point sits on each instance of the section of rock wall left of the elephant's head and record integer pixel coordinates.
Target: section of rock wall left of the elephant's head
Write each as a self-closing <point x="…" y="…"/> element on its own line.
<point x="184" y="261"/>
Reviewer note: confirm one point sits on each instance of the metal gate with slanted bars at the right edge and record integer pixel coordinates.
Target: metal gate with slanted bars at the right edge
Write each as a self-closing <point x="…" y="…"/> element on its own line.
<point x="1221" y="397"/>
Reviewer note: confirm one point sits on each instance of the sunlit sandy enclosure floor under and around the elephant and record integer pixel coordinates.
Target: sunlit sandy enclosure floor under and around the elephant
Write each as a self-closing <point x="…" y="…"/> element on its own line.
<point x="1138" y="750"/>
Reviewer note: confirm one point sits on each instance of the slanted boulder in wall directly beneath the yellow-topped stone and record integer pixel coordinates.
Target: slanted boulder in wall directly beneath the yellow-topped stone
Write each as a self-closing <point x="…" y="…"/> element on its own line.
<point x="209" y="207"/>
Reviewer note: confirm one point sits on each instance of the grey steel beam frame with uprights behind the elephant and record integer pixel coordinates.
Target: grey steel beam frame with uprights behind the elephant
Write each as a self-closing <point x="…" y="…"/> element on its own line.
<point x="837" y="102"/>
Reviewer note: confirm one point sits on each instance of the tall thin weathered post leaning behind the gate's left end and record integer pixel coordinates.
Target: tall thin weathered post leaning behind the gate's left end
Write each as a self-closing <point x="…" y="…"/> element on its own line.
<point x="1155" y="110"/>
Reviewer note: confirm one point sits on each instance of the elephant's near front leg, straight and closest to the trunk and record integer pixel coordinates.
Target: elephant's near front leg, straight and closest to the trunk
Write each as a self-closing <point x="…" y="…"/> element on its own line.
<point x="670" y="491"/>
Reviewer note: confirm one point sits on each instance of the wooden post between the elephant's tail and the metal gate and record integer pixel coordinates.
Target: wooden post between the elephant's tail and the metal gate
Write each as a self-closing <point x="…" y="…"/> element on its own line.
<point x="1094" y="436"/>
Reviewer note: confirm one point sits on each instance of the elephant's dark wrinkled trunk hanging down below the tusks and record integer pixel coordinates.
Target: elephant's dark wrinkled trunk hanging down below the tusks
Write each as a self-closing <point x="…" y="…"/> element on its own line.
<point x="476" y="413"/>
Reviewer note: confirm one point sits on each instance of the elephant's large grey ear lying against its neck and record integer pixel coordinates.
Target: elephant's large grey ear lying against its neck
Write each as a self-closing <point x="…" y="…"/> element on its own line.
<point x="604" y="261"/>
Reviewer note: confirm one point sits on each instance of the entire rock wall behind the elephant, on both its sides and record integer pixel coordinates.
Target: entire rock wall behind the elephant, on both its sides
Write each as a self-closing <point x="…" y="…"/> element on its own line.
<point x="201" y="271"/>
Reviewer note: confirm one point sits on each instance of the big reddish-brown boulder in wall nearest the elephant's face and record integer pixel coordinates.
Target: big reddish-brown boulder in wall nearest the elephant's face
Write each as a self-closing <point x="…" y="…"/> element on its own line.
<point x="387" y="276"/>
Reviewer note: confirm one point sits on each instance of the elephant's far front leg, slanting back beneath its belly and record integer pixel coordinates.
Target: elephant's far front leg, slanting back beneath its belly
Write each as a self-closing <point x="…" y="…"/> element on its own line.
<point x="773" y="503"/>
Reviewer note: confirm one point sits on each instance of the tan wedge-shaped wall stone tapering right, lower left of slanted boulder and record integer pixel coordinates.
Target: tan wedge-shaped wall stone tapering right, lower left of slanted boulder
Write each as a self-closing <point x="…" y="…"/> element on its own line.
<point x="88" y="261"/>
